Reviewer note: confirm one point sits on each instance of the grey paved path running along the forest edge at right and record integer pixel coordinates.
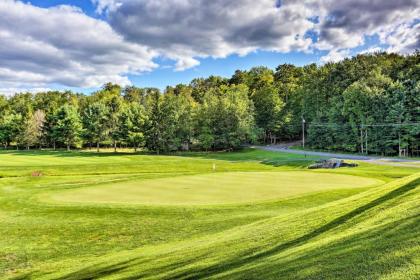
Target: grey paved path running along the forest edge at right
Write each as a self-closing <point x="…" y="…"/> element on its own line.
<point x="371" y="159"/>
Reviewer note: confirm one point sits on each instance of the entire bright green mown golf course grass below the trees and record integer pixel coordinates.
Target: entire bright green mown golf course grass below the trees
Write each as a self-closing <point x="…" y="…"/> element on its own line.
<point x="257" y="215"/>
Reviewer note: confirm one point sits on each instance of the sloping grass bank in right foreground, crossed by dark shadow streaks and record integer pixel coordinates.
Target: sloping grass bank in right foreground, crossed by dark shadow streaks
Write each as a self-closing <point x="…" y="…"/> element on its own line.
<point x="370" y="235"/>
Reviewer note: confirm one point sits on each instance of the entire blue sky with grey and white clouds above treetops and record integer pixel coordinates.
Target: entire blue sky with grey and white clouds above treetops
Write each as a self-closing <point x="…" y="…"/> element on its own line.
<point x="83" y="44"/>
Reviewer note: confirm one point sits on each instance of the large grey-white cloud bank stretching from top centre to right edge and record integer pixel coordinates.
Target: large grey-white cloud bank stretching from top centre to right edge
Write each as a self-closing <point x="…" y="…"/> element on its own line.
<point x="186" y="30"/>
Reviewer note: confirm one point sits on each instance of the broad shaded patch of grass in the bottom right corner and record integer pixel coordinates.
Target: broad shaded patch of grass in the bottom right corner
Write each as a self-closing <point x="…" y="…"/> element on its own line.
<point x="372" y="254"/>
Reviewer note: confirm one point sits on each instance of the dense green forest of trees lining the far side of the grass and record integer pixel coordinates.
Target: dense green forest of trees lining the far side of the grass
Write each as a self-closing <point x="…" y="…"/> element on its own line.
<point x="369" y="103"/>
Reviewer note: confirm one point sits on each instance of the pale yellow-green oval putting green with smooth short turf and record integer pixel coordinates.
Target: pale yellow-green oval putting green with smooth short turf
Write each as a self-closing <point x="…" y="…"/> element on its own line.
<point x="215" y="188"/>
